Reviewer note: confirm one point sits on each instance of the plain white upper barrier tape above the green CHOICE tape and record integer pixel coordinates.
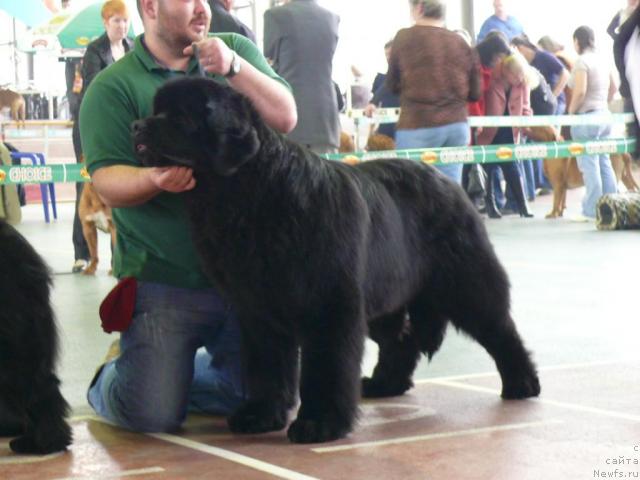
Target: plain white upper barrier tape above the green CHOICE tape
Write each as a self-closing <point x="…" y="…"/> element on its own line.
<point x="390" y="115"/>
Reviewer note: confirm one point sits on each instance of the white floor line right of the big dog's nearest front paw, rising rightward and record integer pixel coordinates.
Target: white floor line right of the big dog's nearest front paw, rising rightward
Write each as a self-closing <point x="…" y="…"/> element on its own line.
<point x="435" y="436"/>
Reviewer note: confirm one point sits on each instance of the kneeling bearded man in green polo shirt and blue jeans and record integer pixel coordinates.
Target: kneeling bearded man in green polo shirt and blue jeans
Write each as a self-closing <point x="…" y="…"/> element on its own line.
<point x="155" y="379"/>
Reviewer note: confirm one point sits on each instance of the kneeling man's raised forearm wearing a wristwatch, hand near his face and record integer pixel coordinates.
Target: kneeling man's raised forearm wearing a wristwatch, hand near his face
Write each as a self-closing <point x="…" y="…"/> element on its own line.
<point x="273" y="100"/>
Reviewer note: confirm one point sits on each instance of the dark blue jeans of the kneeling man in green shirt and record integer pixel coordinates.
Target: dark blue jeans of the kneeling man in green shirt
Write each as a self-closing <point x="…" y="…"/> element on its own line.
<point x="160" y="373"/>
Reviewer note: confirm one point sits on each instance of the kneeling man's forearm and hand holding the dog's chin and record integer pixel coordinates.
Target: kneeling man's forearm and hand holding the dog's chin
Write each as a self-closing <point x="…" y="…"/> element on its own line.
<point x="126" y="186"/>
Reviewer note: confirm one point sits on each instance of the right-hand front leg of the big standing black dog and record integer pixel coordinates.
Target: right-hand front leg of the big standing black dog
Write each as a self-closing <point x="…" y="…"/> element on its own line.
<point x="330" y="377"/>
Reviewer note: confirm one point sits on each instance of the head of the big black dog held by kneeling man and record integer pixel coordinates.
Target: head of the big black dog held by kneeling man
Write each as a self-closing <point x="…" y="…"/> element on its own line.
<point x="199" y="124"/>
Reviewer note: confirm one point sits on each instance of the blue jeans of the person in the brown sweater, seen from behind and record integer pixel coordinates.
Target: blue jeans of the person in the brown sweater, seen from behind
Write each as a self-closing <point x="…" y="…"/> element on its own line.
<point x="451" y="135"/>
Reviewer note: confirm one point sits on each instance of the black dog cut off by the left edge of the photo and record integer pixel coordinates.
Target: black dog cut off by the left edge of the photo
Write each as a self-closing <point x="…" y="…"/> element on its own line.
<point x="31" y="406"/>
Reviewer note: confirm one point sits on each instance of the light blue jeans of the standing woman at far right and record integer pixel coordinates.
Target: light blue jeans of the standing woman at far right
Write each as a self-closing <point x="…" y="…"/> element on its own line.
<point x="597" y="172"/>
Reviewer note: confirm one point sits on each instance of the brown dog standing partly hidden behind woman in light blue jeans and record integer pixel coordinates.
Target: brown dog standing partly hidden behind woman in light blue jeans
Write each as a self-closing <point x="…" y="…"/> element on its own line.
<point x="563" y="173"/>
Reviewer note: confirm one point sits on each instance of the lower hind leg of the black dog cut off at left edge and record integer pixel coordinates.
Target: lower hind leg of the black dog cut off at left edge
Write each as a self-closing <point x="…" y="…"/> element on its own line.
<point x="46" y="430"/>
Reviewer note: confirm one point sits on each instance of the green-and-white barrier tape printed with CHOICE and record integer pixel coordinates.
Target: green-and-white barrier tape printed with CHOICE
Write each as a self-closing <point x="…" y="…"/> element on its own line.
<point x="434" y="156"/>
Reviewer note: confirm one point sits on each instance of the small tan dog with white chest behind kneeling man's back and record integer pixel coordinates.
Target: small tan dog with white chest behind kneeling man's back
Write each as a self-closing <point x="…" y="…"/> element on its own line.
<point x="94" y="215"/>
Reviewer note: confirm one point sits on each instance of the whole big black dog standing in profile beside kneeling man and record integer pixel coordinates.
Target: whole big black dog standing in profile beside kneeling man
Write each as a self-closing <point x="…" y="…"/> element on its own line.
<point x="314" y="254"/>
